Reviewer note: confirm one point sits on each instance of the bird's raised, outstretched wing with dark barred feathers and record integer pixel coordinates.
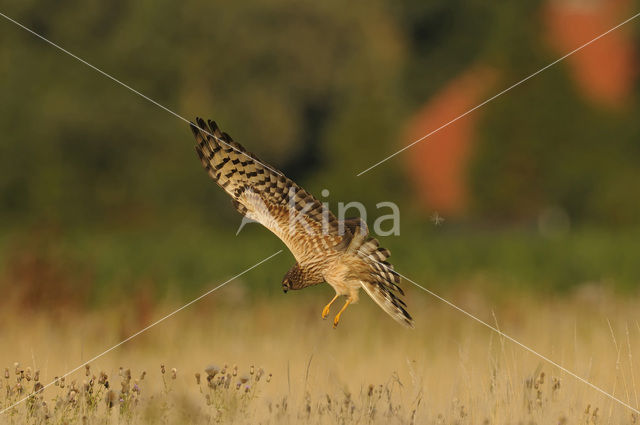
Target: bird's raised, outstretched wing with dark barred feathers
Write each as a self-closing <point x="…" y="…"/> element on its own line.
<point x="262" y="193"/>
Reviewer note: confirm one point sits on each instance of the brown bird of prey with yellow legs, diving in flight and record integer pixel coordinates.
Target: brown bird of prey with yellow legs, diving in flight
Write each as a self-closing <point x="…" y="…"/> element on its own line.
<point x="339" y="252"/>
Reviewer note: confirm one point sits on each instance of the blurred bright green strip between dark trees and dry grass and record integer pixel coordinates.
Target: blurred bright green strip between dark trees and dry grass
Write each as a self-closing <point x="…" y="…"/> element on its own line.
<point x="104" y="267"/>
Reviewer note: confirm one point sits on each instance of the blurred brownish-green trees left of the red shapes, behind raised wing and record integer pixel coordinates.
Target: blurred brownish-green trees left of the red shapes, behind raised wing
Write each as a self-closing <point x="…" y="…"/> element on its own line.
<point x="292" y="81"/>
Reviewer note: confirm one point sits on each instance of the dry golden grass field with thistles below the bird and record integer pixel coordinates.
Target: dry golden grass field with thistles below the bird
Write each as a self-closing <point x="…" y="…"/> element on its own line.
<point x="225" y="360"/>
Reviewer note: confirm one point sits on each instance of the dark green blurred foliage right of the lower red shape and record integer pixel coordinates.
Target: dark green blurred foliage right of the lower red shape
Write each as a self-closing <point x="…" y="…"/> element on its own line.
<point x="557" y="151"/>
